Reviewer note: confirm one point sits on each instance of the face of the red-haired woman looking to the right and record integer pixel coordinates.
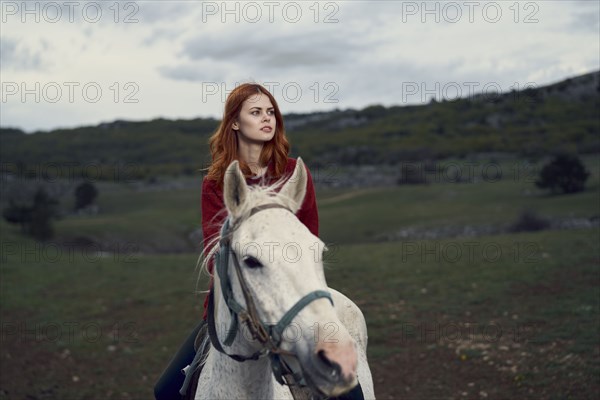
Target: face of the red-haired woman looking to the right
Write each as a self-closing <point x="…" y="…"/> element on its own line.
<point x="255" y="119"/>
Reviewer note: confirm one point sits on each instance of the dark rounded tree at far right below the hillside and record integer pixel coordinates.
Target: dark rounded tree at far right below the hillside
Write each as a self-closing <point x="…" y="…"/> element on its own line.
<point x="565" y="172"/>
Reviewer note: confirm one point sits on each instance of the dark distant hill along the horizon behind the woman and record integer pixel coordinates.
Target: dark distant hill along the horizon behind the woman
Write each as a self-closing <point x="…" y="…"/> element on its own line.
<point x="532" y="122"/>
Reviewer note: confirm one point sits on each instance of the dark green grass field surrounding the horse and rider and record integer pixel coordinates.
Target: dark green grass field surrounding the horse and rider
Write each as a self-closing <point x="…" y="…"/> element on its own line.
<point x="498" y="317"/>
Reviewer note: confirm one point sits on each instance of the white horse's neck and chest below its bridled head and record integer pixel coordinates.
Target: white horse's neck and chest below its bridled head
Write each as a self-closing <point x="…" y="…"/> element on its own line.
<point x="232" y="379"/>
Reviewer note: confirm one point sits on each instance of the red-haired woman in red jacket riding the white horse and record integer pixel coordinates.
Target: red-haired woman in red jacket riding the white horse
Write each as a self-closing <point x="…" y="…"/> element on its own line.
<point x="251" y="132"/>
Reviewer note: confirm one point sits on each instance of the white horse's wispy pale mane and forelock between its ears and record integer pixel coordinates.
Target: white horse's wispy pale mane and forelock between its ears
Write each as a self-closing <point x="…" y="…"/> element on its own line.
<point x="257" y="195"/>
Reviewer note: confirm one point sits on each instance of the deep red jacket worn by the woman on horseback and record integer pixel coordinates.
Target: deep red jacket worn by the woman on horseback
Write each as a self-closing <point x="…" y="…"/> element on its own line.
<point x="214" y="213"/>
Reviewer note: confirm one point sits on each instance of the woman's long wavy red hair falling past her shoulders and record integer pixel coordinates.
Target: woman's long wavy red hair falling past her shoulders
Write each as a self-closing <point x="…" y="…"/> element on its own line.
<point x="223" y="143"/>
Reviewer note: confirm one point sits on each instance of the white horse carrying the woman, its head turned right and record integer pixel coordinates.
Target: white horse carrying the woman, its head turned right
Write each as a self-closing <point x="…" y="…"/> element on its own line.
<point x="279" y="266"/>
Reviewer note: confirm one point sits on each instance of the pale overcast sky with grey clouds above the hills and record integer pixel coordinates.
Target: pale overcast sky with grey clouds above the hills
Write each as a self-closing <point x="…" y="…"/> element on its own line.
<point x="67" y="64"/>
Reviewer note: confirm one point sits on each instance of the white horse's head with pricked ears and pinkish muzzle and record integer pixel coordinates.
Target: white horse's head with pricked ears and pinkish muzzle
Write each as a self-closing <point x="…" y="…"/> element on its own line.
<point x="280" y="267"/>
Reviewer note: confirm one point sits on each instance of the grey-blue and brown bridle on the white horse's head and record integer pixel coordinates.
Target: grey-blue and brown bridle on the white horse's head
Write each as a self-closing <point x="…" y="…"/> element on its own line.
<point x="270" y="336"/>
